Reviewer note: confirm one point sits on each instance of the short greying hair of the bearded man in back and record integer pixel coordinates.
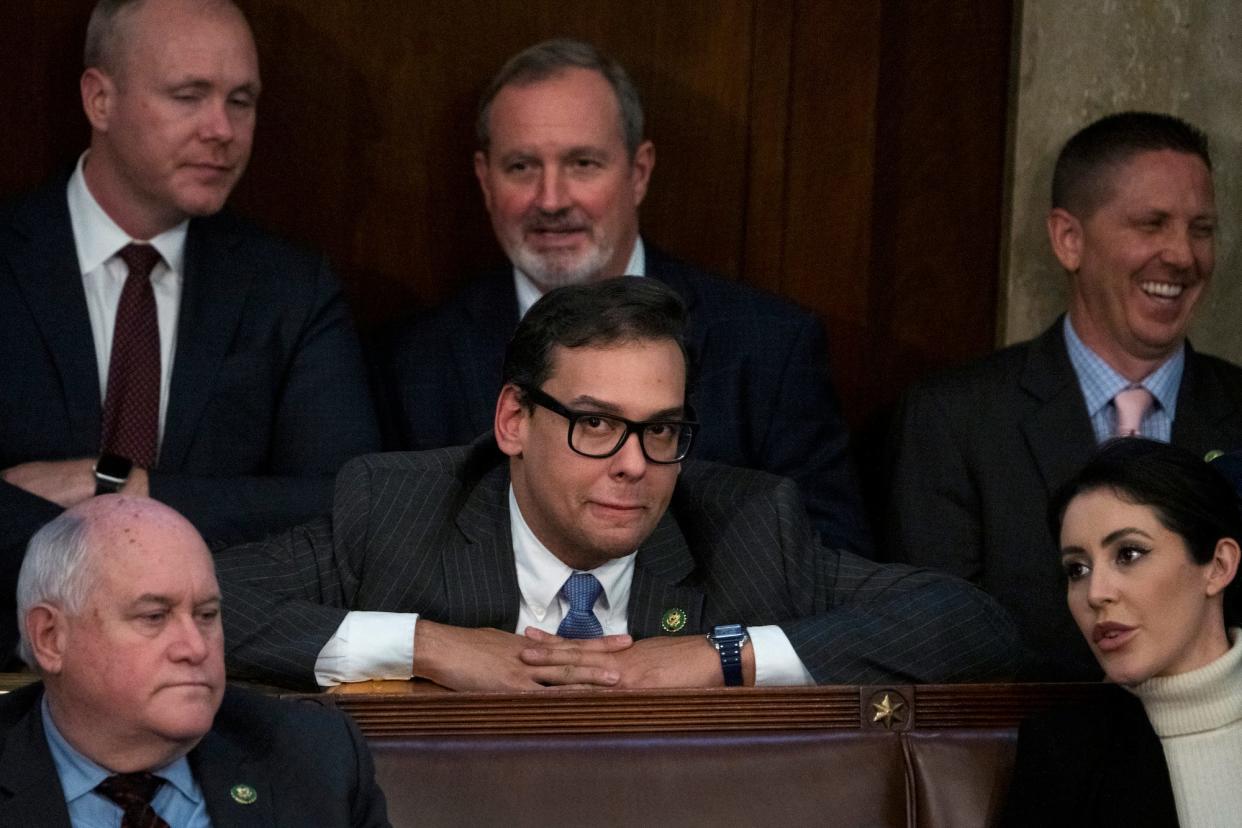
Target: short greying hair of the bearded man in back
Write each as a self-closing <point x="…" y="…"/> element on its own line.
<point x="552" y="58"/>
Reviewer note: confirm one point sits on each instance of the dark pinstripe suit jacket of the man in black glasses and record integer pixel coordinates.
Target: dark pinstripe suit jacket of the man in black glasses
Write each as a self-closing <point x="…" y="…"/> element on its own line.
<point x="429" y="532"/>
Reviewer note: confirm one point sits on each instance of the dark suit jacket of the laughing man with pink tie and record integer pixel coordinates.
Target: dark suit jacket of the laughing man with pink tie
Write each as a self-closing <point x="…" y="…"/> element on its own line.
<point x="982" y="449"/>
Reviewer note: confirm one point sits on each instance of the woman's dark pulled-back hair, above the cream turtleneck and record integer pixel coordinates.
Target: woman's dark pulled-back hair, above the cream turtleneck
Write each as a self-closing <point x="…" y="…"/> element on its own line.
<point x="1189" y="497"/>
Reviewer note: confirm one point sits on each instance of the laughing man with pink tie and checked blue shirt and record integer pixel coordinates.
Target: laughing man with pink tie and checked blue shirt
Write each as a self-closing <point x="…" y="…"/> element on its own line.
<point x="1133" y="223"/>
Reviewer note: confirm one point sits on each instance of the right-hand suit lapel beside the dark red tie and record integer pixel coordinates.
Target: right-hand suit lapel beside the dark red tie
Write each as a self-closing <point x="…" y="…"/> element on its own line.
<point x="213" y="299"/>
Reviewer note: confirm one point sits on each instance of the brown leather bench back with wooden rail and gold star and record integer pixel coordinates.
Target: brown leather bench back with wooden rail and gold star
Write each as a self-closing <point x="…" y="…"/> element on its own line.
<point x="824" y="757"/>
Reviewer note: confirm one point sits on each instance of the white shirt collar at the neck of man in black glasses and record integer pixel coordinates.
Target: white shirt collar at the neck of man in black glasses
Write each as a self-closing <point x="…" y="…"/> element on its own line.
<point x="541" y="574"/>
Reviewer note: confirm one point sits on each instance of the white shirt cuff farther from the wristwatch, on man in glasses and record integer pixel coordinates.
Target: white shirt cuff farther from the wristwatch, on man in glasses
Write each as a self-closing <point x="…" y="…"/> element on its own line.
<point x="368" y="646"/>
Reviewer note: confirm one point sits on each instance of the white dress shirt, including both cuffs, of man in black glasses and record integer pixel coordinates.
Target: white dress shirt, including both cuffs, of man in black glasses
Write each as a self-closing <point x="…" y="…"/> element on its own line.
<point x="381" y="645"/>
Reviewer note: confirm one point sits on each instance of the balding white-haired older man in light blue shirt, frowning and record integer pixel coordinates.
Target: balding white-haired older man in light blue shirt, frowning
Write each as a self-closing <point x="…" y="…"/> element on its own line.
<point x="132" y="723"/>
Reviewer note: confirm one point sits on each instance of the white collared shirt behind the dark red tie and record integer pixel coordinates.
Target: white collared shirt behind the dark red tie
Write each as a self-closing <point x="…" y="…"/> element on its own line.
<point x="99" y="239"/>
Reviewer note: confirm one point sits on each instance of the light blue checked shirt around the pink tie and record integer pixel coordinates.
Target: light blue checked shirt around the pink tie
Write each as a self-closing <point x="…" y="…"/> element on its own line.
<point x="1100" y="384"/>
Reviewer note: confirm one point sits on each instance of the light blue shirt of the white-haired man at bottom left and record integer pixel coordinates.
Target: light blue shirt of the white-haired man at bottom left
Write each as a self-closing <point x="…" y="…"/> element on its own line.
<point x="179" y="801"/>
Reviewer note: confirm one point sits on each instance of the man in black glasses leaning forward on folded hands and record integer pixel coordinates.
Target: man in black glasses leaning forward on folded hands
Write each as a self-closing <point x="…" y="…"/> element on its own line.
<point x="573" y="547"/>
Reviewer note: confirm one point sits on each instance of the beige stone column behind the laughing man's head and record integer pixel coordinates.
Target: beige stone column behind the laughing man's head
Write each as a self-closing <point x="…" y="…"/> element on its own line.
<point x="1077" y="61"/>
